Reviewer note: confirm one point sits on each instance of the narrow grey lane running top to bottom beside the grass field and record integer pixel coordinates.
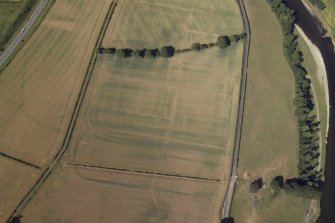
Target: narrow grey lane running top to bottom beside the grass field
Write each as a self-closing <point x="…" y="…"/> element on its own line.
<point x="233" y="177"/>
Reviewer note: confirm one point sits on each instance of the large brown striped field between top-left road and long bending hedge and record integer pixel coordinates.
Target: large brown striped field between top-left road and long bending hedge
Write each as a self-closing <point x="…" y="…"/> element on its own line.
<point x="39" y="88"/>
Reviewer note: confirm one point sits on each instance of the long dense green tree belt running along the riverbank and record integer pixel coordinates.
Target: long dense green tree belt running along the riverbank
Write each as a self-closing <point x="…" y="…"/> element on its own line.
<point x="308" y="125"/>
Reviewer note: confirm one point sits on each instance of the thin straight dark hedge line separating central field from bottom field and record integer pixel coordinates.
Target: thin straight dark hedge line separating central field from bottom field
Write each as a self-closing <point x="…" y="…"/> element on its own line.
<point x="141" y="172"/>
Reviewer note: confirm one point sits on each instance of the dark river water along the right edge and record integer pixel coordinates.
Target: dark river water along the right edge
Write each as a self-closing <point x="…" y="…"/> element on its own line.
<point x="314" y="31"/>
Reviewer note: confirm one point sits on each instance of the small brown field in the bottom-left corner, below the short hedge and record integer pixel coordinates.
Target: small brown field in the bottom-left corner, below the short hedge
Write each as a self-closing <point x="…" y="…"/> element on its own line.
<point x="15" y="181"/>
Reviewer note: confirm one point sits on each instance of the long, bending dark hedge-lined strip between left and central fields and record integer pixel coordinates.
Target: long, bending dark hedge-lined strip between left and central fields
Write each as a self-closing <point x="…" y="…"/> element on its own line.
<point x="29" y="196"/>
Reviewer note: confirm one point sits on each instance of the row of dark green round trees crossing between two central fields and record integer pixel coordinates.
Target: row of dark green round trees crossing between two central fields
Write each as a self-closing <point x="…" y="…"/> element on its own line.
<point x="169" y="51"/>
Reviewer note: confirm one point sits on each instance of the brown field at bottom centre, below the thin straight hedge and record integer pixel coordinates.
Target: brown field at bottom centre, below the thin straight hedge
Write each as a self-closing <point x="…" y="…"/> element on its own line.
<point x="84" y="195"/>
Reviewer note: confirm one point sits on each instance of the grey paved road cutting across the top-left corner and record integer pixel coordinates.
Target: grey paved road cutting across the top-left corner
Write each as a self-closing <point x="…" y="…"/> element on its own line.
<point x="23" y="31"/>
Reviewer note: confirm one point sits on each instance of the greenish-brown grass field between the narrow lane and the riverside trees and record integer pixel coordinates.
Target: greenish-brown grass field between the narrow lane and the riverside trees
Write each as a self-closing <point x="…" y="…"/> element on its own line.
<point x="269" y="132"/>
